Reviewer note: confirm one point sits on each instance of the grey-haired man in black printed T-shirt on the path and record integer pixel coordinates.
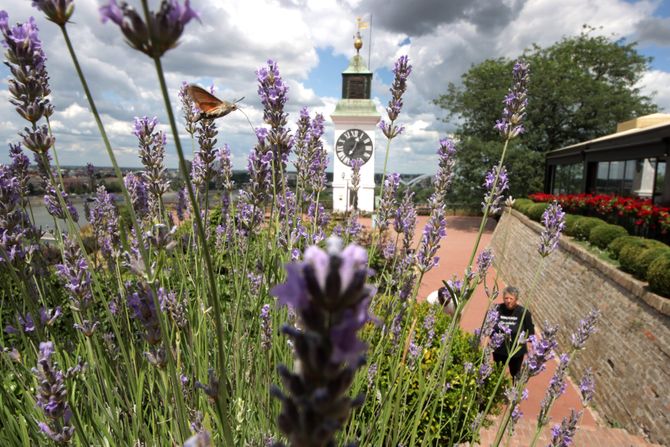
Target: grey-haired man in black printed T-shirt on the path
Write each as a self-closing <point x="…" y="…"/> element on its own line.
<point x="510" y="313"/>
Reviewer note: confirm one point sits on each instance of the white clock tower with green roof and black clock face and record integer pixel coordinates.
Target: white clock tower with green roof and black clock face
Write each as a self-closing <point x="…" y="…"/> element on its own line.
<point x="355" y="118"/>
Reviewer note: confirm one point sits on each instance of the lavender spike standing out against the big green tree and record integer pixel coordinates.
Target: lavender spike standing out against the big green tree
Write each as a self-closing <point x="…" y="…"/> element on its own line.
<point x="511" y="123"/>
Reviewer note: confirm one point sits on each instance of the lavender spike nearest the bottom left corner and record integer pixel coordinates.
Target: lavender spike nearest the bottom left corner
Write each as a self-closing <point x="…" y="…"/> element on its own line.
<point x="52" y="396"/>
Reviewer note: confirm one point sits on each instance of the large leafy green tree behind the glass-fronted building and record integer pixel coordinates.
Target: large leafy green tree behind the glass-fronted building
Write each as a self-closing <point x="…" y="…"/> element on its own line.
<point x="579" y="89"/>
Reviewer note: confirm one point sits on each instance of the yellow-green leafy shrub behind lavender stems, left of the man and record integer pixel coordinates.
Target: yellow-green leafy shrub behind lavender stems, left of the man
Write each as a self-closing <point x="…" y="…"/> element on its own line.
<point x="436" y="423"/>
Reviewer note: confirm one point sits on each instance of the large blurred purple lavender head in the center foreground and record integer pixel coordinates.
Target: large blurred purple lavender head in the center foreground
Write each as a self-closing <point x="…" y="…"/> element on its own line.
<point x="328" y="293"/>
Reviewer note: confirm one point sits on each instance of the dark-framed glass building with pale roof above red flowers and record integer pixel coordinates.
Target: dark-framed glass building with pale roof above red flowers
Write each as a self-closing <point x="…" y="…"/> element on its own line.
<point x="631" y="162"/>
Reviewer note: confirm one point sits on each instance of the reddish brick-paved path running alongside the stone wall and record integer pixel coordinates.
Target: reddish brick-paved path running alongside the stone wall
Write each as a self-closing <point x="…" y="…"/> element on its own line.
<point x="454" y="255"/>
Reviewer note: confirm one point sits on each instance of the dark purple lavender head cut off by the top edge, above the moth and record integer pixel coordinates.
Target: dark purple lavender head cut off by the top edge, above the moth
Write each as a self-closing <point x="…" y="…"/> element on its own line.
<point x="166" y="25"/>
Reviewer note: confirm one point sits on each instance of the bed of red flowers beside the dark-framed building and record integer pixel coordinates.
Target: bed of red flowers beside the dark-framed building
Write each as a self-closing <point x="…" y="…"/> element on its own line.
<point x="639" y="216"/>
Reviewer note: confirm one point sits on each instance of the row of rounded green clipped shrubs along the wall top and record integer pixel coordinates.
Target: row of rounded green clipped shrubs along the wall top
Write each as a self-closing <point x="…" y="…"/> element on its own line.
<point x="646" y="259"/>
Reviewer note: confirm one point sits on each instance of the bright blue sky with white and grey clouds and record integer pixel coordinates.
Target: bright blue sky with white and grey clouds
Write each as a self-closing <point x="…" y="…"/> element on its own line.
<point x="311" y="41"/>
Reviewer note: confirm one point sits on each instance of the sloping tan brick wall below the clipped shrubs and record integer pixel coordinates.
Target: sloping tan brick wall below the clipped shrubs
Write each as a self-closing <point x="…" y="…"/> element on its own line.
<point x="630" y="353"/>
